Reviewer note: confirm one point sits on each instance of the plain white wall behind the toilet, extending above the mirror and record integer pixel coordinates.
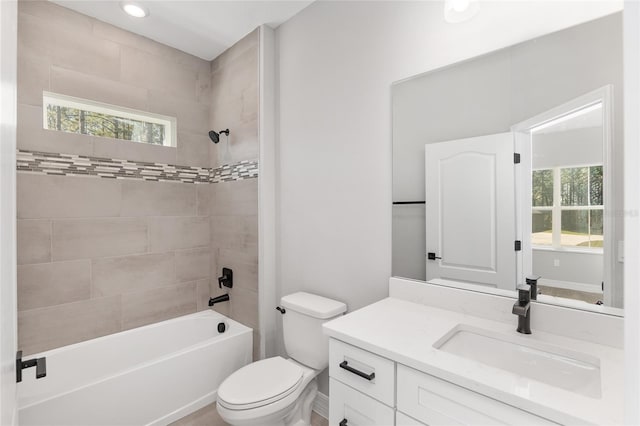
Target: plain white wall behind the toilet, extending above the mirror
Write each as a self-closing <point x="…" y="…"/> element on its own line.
<point x="336" y="62"/>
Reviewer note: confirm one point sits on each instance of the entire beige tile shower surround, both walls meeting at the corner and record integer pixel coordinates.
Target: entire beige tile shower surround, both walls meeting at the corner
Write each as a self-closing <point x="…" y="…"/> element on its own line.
<point x="101" y="252"/>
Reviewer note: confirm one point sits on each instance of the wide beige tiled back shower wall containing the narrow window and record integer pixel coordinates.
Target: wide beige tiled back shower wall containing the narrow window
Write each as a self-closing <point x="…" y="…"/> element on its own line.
<point x="99" y="255"/>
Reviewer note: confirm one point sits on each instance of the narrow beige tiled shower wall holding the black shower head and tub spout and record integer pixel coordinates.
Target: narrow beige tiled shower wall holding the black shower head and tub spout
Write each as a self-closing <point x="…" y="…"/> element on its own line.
<point x="234" y="204"/>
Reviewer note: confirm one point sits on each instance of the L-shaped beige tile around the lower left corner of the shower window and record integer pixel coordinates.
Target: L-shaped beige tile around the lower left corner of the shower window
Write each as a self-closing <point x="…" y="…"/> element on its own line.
<point x="31" y="136"/>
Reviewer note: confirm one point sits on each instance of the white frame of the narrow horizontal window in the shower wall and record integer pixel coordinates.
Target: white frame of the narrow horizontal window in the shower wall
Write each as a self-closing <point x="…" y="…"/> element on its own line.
<point x="170" y="123"/>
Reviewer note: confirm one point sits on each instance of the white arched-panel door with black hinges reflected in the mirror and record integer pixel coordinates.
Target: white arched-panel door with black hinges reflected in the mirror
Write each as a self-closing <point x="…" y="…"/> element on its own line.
<point x="470" y="210"/>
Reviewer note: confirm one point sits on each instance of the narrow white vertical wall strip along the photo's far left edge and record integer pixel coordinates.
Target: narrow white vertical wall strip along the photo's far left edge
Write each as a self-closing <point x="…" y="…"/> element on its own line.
<point x="8" y="304"/>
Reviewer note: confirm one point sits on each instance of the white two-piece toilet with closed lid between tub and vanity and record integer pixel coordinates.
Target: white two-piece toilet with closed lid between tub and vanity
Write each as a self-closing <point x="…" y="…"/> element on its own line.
<point x="280" y="391"/>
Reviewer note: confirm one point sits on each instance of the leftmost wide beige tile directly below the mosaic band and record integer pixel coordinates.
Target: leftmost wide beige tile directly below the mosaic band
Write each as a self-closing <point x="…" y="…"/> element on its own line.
<point x="42" y="196"/>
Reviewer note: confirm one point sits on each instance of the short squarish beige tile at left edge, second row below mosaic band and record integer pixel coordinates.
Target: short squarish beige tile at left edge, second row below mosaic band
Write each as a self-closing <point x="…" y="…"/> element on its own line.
<point x="34" y="241"/>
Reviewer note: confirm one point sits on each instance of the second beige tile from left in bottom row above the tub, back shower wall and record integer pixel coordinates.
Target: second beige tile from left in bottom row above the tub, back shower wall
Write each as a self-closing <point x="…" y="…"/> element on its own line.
<point x="151" y="306"/>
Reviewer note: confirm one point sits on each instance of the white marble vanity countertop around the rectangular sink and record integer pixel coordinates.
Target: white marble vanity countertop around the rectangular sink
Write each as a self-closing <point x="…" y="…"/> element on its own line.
<point x="405" y="332"/>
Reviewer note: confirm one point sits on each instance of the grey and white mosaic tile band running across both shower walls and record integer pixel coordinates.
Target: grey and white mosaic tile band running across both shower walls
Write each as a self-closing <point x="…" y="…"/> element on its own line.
<point x="82" y="165"/>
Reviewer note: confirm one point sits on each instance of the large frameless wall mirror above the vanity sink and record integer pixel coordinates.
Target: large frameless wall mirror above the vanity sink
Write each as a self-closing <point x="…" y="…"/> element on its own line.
<point x="509" y="165"/>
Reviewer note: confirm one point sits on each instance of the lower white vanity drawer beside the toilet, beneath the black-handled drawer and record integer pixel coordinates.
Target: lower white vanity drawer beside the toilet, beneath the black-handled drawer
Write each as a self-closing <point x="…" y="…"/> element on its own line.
<point x="348" y="407"/>
